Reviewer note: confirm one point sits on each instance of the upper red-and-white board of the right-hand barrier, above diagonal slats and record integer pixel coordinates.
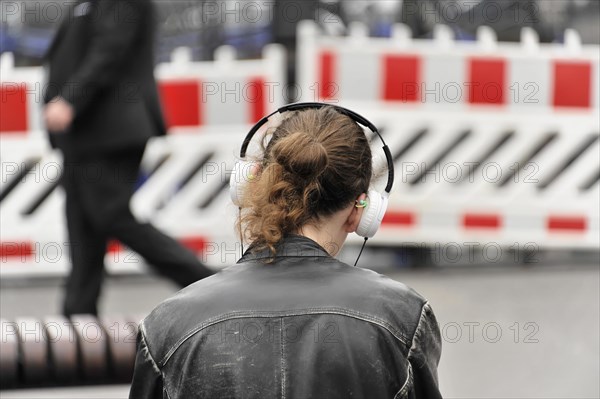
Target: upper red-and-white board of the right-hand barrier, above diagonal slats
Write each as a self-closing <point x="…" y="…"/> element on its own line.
<point x="447" y="74"/>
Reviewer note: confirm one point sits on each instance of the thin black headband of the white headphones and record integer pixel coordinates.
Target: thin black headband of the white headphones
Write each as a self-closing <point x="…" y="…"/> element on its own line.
<point x="345" y="111"/>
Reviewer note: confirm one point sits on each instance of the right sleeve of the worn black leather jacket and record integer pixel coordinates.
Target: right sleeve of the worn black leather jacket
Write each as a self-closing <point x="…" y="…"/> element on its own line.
<point x="424" y="355"/>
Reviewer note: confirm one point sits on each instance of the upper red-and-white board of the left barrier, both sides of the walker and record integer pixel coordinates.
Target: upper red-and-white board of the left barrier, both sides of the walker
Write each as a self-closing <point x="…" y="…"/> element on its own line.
<point x="194" y="94"/>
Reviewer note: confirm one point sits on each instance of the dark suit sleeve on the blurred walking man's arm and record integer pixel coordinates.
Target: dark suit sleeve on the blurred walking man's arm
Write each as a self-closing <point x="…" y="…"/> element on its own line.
<point x="115" y="24"/>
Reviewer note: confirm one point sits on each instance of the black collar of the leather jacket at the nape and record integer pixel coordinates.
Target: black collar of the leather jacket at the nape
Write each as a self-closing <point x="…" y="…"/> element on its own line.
<point x="292" y="246"/>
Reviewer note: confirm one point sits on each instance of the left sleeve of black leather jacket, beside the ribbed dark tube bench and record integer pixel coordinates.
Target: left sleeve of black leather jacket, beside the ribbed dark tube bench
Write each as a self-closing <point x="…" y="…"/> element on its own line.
<point x="147" y="380"/>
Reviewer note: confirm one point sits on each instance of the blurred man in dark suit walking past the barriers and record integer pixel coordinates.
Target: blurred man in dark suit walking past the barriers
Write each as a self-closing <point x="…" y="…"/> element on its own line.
<point x="102" y="106"/>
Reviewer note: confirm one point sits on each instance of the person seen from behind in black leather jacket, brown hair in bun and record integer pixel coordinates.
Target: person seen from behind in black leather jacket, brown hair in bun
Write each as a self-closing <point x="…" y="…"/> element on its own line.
<point x="289" y="320"/>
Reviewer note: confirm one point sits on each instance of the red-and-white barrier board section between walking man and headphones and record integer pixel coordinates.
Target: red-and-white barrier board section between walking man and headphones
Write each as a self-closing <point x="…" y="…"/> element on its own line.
<point x="221" y="92"/>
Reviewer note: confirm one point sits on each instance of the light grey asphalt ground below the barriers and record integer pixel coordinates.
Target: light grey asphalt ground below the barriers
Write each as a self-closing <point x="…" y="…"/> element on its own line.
<point x="509" y="331"/>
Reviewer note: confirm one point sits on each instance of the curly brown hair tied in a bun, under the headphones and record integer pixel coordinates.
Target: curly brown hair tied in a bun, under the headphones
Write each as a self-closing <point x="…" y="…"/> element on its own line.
<point x="316" y="163"/>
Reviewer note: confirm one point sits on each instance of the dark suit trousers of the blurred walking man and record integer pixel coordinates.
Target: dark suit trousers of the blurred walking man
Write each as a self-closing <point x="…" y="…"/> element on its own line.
<point x="98" y="191"/>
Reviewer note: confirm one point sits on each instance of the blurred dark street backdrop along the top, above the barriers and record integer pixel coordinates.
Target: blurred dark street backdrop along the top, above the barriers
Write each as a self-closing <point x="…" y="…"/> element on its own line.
<point x="248" y="26"/>
